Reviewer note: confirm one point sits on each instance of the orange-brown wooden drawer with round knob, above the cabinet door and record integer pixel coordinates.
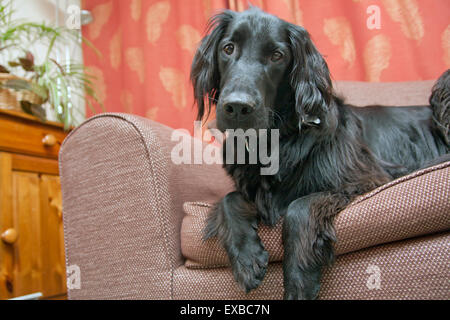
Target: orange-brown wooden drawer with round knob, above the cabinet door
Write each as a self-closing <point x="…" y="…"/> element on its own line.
<point x="25" y="135"/>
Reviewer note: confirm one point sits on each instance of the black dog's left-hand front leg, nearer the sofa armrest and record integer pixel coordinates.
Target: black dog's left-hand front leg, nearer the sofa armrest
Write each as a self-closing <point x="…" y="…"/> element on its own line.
<point x="234" y="222"/>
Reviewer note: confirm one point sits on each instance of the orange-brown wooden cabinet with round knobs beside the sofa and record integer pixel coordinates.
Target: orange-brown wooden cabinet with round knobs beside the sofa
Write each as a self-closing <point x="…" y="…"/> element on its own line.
<point x="31" y="230"/>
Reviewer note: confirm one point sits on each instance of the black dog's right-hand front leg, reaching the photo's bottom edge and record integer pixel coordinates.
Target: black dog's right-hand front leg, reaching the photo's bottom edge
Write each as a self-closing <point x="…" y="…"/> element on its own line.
<point x="308" y="237"/>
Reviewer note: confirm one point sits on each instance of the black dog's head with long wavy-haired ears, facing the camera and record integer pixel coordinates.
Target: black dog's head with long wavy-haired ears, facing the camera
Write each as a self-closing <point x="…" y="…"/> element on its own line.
<point x="260" y="72"/>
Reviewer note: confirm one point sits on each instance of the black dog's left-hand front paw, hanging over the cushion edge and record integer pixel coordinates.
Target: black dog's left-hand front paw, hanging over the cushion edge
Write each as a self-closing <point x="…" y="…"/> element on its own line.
<point x="250" y="265"/>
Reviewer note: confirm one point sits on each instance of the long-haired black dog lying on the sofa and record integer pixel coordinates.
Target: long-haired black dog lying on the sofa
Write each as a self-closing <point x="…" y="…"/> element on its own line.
<point x="262" y="72"/>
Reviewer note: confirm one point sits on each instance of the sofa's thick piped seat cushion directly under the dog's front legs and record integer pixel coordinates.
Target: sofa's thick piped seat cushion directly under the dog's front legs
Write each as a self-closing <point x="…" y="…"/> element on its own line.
<point x="410" y="206"/>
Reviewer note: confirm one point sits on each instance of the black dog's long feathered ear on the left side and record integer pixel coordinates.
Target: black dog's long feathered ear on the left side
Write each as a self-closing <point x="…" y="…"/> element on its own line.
<point x="205" y="75"/>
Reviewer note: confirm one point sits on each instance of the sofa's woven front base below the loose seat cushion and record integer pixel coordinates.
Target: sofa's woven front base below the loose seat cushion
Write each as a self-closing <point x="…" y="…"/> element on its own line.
<point x="417" y="268"/>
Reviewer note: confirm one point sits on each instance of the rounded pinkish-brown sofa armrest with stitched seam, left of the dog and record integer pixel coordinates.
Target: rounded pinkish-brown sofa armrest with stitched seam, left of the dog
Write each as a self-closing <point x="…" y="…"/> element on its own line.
<point x="122" y="204"/>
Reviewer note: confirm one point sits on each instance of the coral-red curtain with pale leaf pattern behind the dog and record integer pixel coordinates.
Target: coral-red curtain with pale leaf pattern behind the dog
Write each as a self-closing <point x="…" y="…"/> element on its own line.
<point x="147" y="45"/>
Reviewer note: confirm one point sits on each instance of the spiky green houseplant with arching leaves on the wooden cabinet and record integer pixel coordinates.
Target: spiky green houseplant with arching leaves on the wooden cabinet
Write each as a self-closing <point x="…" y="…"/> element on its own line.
<point x="53" y="82"/>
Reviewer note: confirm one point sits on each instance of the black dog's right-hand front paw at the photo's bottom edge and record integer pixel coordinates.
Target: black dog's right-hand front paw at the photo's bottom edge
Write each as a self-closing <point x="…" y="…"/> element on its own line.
<point x="300" y="285"/>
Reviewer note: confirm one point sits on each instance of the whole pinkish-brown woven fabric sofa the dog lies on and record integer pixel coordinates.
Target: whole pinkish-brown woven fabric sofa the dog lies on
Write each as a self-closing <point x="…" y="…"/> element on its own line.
<point x="133" y="219"/>
